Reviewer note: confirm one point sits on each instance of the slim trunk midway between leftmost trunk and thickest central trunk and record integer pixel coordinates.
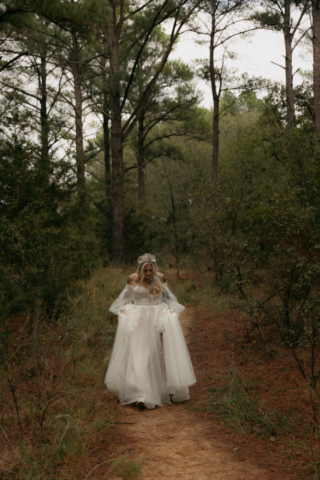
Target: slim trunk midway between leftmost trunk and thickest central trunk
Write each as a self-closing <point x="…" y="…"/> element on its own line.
<point x="76" y="71"/>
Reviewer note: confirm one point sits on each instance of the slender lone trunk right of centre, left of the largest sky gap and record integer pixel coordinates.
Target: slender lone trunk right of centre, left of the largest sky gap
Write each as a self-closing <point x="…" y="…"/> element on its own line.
<point x="216" y="98"/>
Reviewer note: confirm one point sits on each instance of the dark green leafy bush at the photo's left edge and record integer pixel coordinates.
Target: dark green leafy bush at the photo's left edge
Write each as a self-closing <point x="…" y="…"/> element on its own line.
<point x="46" y="241"/>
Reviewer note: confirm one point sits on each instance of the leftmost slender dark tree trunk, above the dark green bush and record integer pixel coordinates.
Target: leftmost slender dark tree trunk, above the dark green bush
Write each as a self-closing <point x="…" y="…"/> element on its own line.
<point x="45" y="167"/>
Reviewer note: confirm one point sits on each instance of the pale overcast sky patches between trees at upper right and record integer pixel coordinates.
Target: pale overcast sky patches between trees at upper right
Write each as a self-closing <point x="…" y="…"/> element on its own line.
<point x="254" y="56"/>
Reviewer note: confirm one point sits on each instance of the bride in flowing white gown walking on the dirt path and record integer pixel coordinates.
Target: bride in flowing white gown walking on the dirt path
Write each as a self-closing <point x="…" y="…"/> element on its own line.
<point x="150" y="360"/>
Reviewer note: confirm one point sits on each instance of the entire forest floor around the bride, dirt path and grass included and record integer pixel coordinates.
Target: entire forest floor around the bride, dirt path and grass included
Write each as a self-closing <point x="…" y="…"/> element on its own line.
<point x="249" y="415"/>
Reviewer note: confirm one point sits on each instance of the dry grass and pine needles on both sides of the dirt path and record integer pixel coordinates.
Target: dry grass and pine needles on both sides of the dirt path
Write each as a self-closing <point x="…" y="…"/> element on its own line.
<point x="68" y="419"/>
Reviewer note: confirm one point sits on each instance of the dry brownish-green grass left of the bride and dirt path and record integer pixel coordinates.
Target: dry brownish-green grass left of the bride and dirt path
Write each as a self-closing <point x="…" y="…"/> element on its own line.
<point x="54" y="382"/>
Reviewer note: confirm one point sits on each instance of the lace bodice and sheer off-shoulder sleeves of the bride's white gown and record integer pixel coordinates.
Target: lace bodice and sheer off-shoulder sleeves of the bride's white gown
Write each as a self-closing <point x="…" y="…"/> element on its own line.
<point x="140" y="295"/>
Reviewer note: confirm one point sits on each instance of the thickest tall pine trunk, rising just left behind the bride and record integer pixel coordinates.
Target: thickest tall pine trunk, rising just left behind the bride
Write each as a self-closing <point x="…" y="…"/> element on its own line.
<point x="117" y="241"/>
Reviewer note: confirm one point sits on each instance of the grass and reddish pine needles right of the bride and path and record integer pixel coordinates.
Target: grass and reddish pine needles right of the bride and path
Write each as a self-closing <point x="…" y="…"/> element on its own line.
<point x="233" y="390"/>
